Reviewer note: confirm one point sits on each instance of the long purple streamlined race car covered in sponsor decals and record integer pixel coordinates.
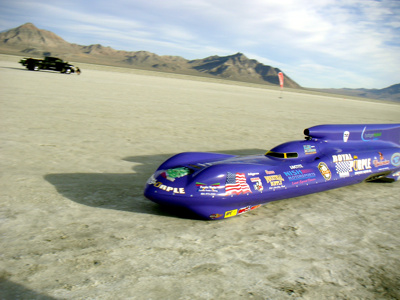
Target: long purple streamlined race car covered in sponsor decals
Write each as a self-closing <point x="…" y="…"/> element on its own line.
<point x="218" y="186"/>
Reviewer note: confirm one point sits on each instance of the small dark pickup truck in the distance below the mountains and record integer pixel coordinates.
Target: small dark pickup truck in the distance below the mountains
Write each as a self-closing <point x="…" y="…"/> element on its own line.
<point x="48" y="63"/>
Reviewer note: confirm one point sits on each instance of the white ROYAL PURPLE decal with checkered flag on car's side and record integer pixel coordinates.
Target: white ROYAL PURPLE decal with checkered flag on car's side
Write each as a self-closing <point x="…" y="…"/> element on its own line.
<point x="345" y="164"/>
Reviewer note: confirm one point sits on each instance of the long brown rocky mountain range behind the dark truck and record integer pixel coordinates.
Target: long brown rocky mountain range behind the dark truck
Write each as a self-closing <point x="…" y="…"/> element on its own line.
<point x="28" y="40"/>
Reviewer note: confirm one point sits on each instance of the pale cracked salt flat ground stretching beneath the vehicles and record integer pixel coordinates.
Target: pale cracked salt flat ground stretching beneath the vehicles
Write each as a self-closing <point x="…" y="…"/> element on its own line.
<point x="76" y="152"/>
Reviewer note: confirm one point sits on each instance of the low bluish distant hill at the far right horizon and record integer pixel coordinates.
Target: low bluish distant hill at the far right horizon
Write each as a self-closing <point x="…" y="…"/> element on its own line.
<point x="391" y="93"/>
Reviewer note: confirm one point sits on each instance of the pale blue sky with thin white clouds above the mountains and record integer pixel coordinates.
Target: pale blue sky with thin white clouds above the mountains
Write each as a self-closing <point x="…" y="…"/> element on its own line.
<point x="317" y="43"/>
